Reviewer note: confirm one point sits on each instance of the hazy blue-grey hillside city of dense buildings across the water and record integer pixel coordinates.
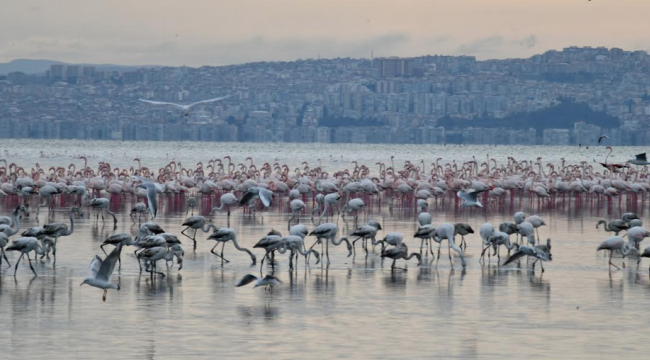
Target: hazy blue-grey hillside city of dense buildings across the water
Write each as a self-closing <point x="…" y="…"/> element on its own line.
<point x="428" y="99"/>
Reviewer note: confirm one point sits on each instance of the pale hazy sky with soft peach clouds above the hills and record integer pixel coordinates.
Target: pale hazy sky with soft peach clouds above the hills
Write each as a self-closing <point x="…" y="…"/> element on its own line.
<point x="214" y="32"/>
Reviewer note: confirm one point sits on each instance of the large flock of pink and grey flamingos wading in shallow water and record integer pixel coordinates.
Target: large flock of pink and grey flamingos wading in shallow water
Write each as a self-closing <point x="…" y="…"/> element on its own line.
<point x="342" y="193"/>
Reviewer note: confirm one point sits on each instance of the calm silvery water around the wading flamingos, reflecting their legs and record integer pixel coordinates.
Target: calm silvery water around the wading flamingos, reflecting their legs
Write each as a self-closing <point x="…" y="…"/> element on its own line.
<point x="354" y="309"/>
